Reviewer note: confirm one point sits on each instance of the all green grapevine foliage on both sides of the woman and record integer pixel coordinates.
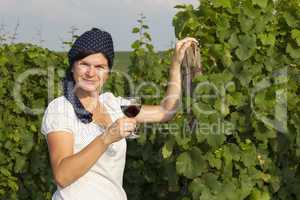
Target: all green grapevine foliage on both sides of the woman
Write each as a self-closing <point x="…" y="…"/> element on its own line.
<point x="245" y="45"/>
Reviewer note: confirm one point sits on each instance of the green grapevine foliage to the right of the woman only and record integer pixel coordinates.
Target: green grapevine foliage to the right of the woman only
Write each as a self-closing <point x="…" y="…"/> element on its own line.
<point x="250" y="52"/>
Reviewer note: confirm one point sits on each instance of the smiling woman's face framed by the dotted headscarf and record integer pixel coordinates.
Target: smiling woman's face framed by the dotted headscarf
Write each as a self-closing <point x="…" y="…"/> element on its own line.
<point x="91" y="72"/>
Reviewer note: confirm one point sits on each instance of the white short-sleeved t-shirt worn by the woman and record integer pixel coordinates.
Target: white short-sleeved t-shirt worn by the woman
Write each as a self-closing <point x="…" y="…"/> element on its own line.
<point x="104" y="180"/>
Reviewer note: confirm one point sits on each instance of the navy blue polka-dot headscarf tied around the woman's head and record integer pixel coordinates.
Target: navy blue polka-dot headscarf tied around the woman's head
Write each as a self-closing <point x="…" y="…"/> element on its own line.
<point x="90" y="42"/>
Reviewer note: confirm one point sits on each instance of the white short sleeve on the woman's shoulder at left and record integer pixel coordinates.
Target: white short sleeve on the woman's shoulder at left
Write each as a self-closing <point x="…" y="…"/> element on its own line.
<point x="59" y="116"/>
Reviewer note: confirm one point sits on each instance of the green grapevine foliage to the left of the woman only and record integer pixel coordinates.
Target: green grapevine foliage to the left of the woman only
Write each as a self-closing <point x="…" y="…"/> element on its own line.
<point x="24" y="164"/>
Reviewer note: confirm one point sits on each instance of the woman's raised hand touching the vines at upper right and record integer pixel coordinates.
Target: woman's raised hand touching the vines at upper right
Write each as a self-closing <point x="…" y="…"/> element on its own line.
<point x="181" y="47"/>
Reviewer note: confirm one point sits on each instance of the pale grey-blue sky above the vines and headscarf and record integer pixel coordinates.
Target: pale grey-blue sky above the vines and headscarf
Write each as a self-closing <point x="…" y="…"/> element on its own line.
<point x="50" y="21"/>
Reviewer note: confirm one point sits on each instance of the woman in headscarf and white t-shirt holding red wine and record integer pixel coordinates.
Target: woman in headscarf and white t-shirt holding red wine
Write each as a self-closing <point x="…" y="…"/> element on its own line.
<point x="82" y="125"/>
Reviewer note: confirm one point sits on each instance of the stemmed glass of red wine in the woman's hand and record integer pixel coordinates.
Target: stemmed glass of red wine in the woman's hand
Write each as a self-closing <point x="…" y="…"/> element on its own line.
<point x="131" y="107"/>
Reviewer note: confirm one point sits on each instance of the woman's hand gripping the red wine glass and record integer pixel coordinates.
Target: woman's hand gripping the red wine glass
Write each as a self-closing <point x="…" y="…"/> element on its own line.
<point x="120" y="129"/>
